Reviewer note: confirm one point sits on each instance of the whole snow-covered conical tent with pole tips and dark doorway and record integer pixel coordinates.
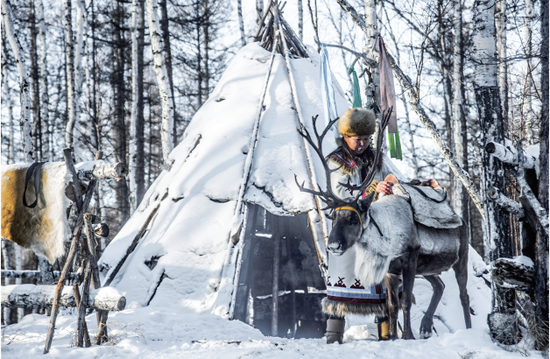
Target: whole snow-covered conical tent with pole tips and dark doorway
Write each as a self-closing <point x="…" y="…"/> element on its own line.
<point x="235" y="168"/>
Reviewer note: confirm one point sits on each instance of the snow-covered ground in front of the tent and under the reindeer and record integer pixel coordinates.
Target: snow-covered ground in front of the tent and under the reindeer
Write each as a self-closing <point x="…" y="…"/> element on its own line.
<point x="165" y="332"/>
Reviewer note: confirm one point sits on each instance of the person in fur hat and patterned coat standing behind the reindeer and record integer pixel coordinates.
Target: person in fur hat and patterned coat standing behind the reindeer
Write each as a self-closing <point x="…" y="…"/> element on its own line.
<point x="352" y="161"/>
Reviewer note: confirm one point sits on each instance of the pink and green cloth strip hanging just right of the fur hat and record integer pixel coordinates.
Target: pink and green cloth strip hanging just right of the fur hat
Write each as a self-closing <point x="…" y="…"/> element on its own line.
<point x="387" y="98"/>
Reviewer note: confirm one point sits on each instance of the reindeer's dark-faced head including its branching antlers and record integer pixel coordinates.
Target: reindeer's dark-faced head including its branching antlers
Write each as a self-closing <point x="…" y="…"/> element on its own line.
<point x="348" y="214"/>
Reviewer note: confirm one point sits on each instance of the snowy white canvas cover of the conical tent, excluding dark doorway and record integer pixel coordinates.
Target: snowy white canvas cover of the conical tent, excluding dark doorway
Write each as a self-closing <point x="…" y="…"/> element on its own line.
<point x="187" y="243"/>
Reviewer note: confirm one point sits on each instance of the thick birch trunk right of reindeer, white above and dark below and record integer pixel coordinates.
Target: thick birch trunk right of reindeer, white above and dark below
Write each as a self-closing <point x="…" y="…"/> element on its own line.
<point x="502" y="320"/>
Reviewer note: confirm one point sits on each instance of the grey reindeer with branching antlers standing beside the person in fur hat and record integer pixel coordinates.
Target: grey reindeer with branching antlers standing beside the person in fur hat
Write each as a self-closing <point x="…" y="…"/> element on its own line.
<point x="390" y="244"/>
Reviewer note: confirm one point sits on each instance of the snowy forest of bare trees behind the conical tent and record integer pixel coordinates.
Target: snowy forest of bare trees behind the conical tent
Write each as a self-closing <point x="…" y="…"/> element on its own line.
<point x="79" y="58"/>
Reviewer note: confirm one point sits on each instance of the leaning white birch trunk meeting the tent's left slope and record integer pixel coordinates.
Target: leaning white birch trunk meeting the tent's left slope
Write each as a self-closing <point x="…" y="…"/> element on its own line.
<point x="165" y="93"/>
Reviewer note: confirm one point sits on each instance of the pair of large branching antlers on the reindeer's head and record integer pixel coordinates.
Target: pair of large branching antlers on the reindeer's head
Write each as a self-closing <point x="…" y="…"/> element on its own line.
<point x="331" y="199"/>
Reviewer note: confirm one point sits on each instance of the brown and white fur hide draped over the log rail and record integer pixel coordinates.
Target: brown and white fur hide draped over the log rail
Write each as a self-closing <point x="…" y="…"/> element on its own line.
<point x="43" y="228"/>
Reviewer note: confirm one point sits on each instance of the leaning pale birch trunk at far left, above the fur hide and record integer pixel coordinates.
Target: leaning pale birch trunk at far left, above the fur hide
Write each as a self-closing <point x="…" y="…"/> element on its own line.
<point x="22" y="70"/>
